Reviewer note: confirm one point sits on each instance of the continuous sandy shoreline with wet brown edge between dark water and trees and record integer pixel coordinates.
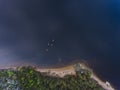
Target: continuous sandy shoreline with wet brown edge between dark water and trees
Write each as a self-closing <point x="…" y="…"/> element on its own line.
<point x="61" y="71"/>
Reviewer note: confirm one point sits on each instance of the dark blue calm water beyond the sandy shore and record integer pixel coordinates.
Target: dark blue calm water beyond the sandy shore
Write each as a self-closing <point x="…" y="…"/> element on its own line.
<point x="49" y="32"/>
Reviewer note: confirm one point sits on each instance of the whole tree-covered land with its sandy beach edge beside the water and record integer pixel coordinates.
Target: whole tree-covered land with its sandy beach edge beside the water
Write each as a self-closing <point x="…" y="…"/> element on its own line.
<point x="72" y="77"/>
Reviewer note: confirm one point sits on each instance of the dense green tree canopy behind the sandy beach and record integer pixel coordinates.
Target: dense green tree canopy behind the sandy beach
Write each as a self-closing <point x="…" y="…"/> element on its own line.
<point x="26" y="78"/>
